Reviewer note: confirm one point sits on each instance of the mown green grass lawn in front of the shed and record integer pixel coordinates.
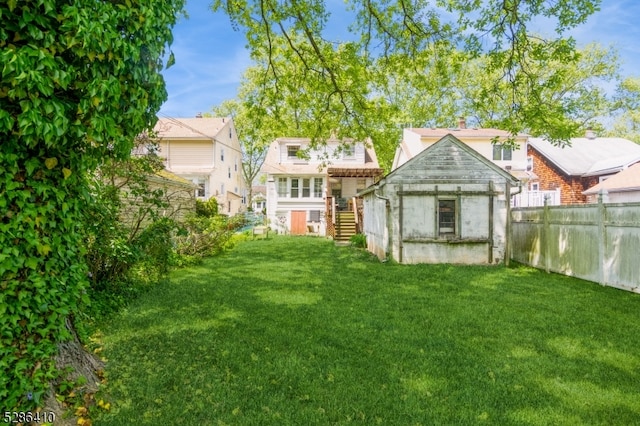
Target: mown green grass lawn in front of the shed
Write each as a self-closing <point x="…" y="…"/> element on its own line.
<point x="297" y="331"/>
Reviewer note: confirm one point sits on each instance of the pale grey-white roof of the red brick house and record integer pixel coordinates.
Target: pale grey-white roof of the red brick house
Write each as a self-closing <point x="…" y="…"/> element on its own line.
<point x="589" y="156"/>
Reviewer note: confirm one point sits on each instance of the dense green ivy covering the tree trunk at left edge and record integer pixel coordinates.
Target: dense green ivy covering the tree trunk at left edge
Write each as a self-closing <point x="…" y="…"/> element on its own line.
<point x="80" y="79"/>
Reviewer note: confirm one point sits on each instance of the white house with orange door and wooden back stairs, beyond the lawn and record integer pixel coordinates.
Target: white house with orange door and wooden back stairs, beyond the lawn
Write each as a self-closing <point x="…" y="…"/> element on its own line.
<point x="313" y="191"/>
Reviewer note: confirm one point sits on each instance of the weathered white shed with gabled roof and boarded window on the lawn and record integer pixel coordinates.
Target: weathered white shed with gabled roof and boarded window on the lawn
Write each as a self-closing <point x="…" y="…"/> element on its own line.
<point x="447" y="204"/>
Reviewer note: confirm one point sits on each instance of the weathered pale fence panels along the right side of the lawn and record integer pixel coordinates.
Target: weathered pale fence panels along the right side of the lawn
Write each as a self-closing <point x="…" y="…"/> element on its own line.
<point x="596" y="242"/>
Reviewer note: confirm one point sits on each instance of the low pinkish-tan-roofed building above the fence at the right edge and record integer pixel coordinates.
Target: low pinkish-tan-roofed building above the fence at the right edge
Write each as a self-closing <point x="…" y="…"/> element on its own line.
<point x="623" y="187"/>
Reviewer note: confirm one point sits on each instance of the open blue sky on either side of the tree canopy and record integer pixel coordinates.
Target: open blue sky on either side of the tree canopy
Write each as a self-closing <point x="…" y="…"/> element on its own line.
<point x="211" y="56"/>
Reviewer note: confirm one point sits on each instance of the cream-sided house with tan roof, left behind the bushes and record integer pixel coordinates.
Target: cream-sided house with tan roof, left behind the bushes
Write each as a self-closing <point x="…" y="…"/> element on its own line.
<point x="205" y="151"/>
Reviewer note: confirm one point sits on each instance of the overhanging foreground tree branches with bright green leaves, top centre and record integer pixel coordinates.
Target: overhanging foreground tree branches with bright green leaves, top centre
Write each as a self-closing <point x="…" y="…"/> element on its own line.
<point x="392" y="41"/>
